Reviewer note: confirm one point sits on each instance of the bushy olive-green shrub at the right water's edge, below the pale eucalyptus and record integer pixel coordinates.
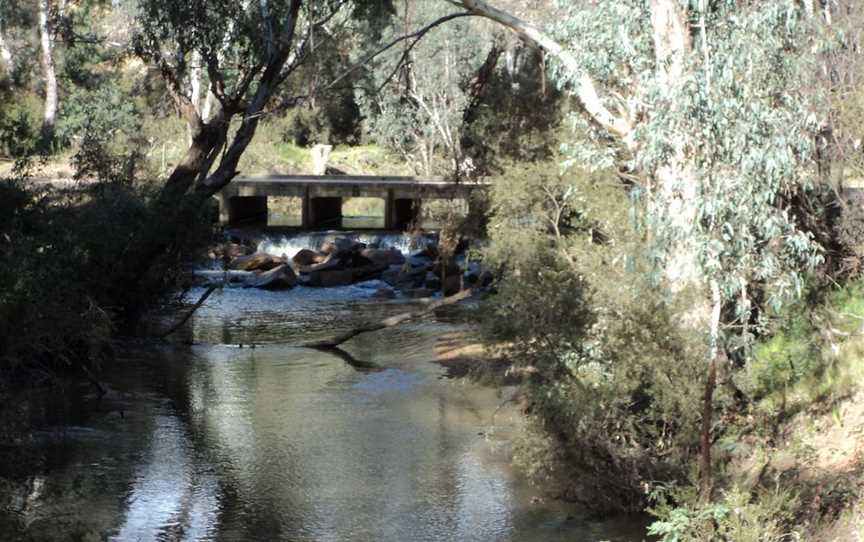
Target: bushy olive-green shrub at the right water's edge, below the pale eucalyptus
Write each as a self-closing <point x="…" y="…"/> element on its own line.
<point x="612" y="378"/>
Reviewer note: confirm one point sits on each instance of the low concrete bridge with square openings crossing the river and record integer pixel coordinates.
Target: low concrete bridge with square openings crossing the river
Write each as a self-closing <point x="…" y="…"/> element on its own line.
<point x="244" y="200"/>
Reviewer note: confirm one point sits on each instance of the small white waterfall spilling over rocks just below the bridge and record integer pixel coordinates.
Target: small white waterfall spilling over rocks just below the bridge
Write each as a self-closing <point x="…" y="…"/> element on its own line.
<point x="290" y="244"/>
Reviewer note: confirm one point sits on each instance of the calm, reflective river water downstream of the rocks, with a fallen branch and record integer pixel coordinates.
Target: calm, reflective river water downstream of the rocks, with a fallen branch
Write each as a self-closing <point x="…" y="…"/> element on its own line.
<point x="210" y="438"/>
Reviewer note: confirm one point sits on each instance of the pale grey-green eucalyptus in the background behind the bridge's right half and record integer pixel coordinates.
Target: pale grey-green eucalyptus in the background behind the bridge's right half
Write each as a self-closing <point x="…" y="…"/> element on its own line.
<point x="422" y="96"/>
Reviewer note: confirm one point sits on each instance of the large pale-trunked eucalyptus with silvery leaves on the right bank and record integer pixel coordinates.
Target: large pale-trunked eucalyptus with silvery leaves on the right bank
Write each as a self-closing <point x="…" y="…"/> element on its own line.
<point x="710" y="111"/>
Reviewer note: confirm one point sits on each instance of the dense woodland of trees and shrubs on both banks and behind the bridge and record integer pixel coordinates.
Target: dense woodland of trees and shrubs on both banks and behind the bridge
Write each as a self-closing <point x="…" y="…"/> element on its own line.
<point x="673" y="228"/>
